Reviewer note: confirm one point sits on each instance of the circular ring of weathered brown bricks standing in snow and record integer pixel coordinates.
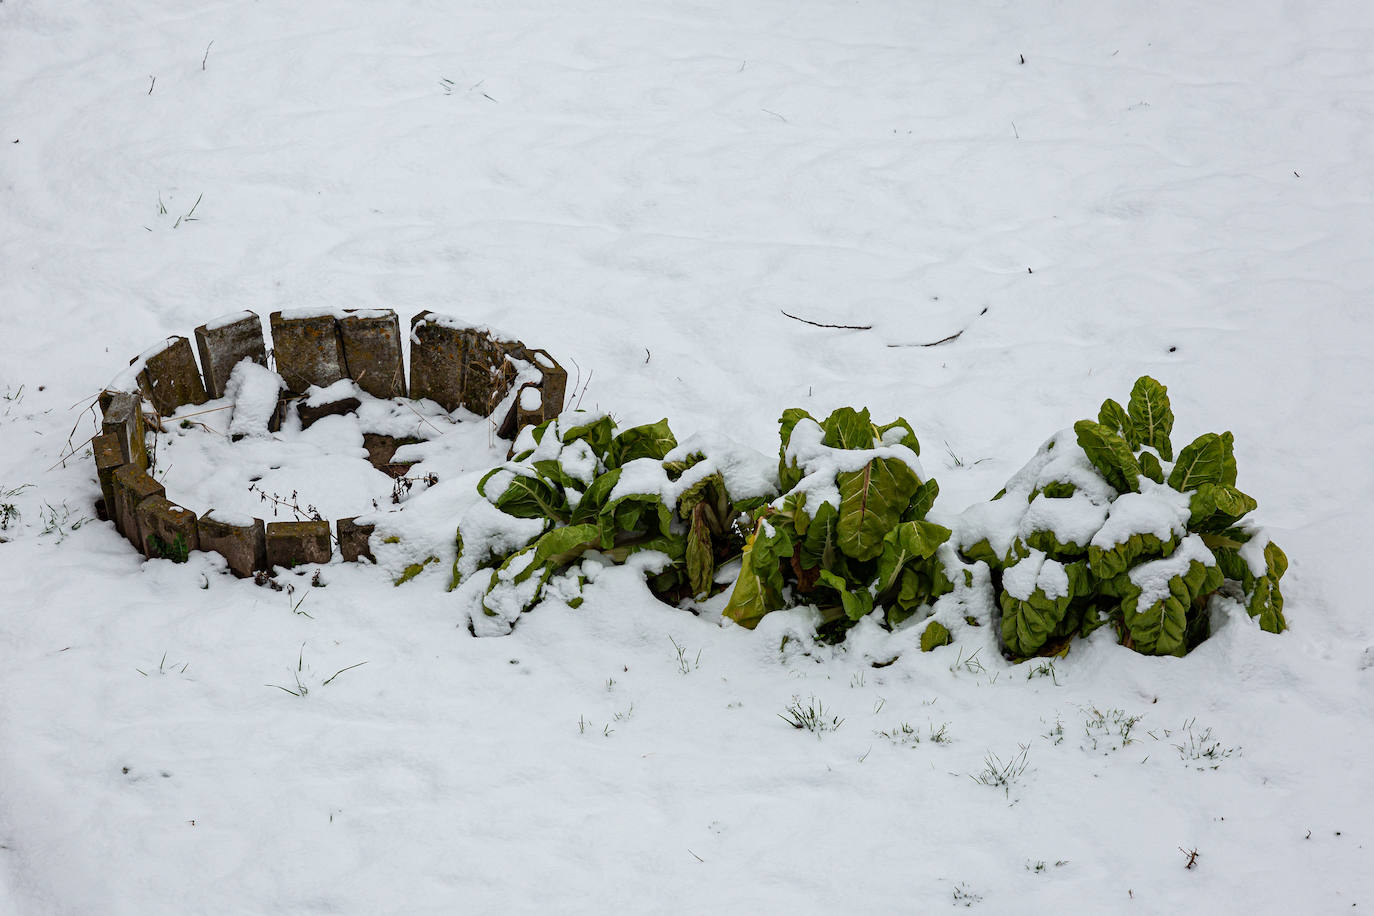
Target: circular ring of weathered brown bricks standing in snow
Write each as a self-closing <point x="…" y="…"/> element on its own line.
<point x="453" y="363"/>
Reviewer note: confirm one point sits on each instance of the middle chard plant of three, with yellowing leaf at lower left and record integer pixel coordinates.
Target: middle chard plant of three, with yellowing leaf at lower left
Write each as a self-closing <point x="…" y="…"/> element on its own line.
<point x="850" y="532"/>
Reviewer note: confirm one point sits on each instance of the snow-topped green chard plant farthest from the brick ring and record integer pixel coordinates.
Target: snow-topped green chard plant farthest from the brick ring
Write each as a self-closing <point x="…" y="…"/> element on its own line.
<point x="1108" y="527"/>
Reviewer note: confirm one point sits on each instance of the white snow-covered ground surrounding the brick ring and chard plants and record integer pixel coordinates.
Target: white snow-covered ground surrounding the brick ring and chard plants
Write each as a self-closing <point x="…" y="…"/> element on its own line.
<point x="1088" y="192"/>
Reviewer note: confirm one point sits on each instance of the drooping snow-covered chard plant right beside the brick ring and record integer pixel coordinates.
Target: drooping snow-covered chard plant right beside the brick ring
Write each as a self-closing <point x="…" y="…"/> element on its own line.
<point x="596" y="490"/>
